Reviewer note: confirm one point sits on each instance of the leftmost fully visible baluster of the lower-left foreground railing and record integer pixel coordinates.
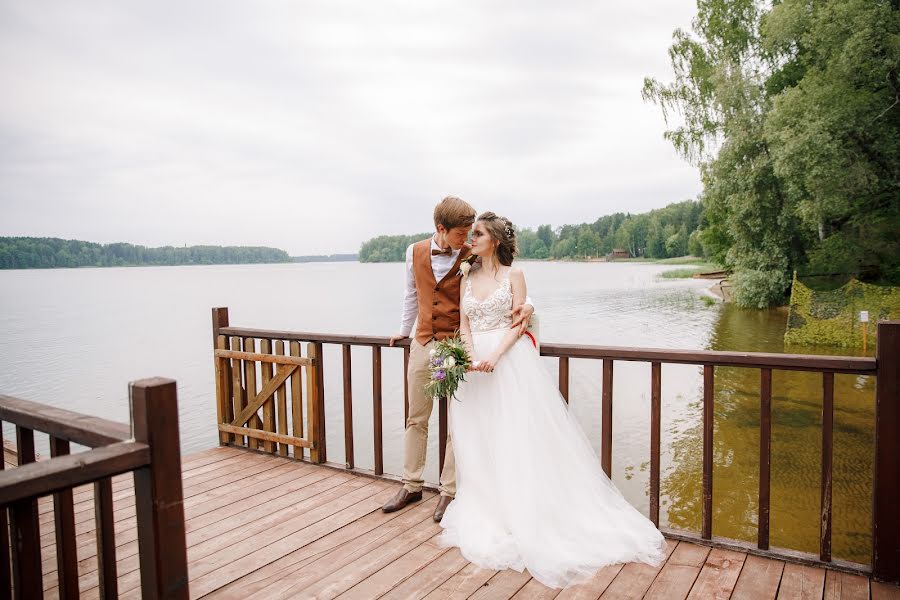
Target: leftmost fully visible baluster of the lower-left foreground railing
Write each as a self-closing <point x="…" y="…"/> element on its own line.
<point x="25" y="530"/>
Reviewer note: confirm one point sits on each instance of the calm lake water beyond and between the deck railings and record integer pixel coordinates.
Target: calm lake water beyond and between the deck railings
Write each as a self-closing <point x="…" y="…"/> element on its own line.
<point x="74" y="338"/>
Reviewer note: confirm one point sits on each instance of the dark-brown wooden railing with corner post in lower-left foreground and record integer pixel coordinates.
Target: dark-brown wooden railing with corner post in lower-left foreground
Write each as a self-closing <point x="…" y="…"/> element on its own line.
<point x="149" y="448"/>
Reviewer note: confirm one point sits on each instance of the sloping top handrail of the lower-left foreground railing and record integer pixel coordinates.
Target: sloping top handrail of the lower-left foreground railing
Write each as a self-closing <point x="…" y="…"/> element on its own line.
<point x="61" y="423"/>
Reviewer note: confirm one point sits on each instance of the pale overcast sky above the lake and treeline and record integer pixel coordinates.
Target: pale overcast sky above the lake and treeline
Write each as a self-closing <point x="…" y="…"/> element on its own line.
<point x="314" y="125"/>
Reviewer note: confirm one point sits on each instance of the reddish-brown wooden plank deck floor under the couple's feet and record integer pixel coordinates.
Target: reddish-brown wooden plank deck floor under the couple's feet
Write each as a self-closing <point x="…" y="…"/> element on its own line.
<point x="261" y="526"/>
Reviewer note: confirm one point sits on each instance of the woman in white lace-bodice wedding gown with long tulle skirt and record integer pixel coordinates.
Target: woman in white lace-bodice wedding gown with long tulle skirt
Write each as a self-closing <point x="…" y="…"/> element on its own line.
<point x="530" y="491"/>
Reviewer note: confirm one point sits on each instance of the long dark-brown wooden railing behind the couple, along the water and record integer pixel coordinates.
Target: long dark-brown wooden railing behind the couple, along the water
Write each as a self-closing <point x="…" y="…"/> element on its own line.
<point x="885" y="564"/>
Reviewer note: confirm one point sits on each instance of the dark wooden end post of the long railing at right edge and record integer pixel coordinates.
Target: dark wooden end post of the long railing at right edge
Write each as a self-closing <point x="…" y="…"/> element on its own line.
<point x="885" y="516"/>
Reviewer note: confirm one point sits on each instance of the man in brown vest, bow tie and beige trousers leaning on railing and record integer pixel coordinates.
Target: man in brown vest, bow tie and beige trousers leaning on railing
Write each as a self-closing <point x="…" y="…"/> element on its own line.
<point x="432" y="299"/>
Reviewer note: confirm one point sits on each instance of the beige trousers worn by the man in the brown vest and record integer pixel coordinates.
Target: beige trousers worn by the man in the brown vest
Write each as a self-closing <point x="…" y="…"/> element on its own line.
<point x="415" y="441"/>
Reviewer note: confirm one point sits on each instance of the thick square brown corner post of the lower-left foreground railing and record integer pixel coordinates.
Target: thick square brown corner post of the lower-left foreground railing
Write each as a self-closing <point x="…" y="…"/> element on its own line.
<point x="159" y="499"/>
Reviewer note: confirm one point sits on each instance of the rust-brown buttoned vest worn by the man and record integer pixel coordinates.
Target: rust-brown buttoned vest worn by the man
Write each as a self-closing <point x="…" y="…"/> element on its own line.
<point x="438" y="300"/>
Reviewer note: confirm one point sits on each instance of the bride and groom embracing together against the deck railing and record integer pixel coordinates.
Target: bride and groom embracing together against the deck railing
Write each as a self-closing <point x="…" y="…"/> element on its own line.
<point x="530" y="491"/>
